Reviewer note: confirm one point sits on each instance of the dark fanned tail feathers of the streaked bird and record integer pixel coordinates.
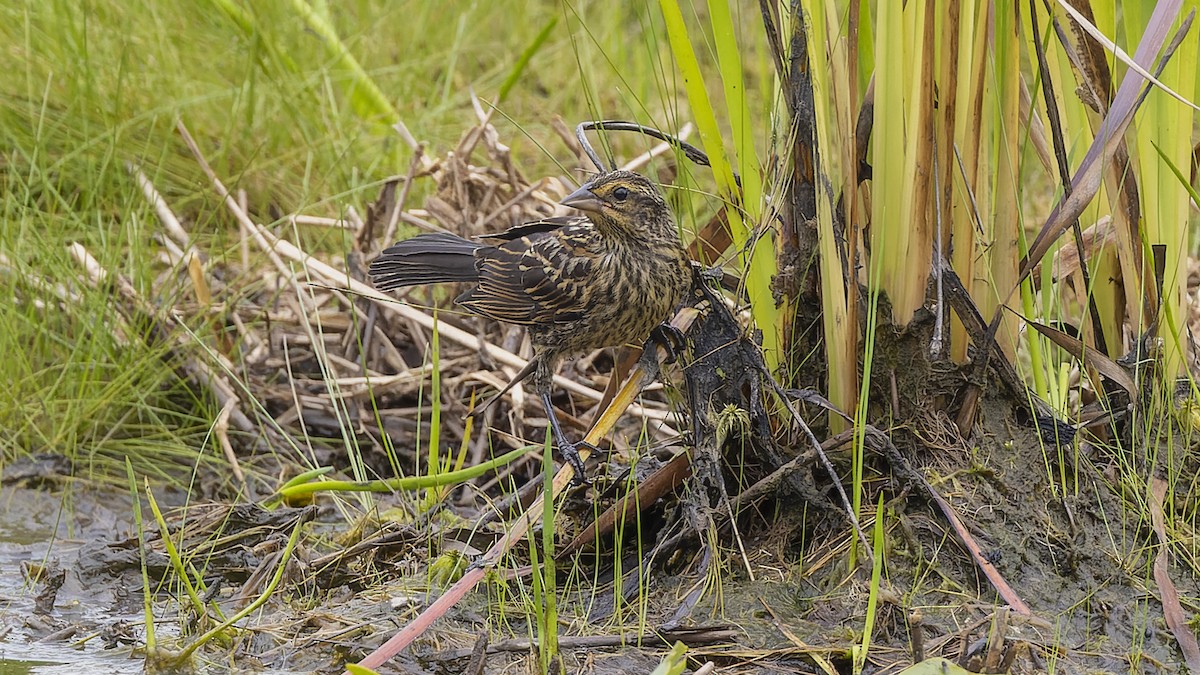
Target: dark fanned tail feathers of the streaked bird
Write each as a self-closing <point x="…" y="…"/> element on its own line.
<point x="427" y="259"/>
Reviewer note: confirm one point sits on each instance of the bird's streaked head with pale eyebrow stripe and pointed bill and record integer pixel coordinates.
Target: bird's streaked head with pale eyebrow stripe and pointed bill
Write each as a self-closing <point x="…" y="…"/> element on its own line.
<point x="623" y="204"/>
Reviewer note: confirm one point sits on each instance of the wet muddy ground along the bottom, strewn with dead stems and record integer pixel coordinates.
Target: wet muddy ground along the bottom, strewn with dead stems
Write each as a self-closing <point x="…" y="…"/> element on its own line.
<point x="788" y="601"/>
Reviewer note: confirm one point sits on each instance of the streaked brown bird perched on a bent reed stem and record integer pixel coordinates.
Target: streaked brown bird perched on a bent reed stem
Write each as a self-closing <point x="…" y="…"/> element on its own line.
<point x="579" y="284"/>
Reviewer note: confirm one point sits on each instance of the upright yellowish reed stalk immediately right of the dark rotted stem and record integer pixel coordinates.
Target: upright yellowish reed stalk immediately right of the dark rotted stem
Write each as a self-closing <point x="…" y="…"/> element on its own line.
<point x="836" y="101"/>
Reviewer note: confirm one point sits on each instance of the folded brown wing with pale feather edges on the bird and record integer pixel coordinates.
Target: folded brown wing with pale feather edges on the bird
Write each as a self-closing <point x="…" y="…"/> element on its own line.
<point x="537" y="279"/>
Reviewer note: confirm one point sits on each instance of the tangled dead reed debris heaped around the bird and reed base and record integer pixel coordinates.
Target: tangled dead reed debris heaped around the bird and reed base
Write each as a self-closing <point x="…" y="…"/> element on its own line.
<point x="316" y="369"/>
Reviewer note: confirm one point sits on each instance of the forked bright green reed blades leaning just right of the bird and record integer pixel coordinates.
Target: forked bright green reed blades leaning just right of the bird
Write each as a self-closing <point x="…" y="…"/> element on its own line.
<point x="746" y="206"/>
